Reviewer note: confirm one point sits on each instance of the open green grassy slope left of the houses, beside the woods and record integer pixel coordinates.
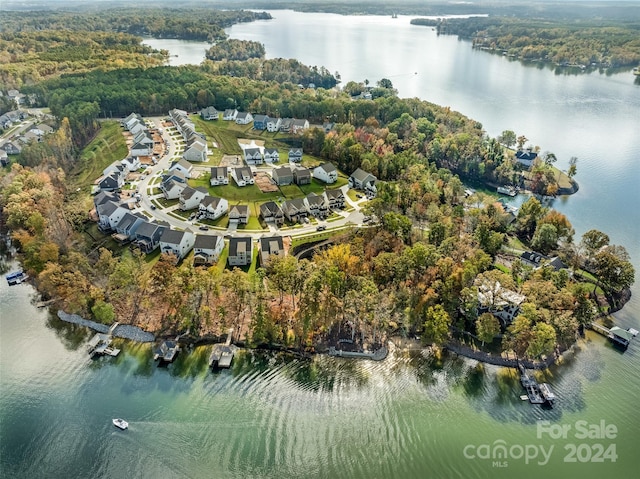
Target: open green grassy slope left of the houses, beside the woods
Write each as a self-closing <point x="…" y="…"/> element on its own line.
<point x="108" y="146"/>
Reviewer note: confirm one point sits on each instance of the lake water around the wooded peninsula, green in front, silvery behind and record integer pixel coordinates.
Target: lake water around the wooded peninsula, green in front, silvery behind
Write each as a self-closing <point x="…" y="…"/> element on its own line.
<point x="409" y="416"/>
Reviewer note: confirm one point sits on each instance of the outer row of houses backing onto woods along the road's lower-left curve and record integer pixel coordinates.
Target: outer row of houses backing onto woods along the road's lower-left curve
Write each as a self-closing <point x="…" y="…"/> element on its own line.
<point x="125" y="226"/>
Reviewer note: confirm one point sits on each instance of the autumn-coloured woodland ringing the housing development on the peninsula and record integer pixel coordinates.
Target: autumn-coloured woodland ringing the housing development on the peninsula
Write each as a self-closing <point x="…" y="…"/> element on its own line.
<point x="437" y="260"/>
